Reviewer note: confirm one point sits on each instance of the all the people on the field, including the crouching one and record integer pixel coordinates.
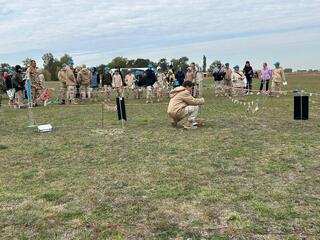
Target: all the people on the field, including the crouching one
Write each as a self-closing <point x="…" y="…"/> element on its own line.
<point x="183" y="87"/>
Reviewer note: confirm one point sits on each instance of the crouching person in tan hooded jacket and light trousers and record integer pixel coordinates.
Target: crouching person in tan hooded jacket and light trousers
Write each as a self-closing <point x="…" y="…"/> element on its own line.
<point x="183" y="105"/>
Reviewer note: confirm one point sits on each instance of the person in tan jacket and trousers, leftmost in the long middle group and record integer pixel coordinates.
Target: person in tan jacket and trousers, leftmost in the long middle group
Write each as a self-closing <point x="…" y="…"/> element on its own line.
<point x="68" y="84"/>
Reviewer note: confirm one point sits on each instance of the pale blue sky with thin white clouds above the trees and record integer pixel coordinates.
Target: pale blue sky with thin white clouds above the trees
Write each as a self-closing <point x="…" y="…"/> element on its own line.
<point x="94" y="32"/>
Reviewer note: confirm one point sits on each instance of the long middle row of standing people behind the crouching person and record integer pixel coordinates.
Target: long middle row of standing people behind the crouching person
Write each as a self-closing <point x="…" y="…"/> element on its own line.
<point x="152" y="83"/>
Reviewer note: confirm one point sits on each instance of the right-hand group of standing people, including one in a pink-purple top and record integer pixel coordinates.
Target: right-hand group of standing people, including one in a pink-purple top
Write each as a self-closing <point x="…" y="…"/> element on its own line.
<point x="234" y="81"/>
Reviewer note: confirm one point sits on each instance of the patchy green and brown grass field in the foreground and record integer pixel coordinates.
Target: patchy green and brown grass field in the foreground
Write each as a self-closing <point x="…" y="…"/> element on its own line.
<point x="242" y="176"/>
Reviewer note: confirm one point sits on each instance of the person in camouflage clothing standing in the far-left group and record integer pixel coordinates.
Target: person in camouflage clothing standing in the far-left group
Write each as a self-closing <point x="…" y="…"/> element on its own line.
<point x="33" y="75"/>
